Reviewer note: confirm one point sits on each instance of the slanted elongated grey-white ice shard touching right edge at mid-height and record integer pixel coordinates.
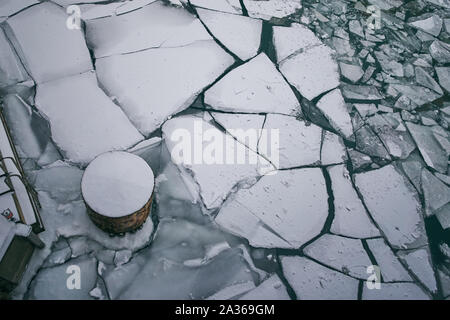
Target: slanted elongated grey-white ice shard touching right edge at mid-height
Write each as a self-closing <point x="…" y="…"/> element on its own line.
<point x="429" y="147"/>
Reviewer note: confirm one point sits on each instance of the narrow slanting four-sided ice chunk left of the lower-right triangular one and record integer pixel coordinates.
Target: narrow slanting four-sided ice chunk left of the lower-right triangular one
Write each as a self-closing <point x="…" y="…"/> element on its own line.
<point x="391" y="268"/>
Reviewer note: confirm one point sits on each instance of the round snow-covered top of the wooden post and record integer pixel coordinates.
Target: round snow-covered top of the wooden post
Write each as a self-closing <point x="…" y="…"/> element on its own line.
<point x="117" y="184"/>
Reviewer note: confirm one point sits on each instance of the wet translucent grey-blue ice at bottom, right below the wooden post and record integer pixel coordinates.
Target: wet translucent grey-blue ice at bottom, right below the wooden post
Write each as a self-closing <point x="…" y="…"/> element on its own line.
<point x="185" y="261"/>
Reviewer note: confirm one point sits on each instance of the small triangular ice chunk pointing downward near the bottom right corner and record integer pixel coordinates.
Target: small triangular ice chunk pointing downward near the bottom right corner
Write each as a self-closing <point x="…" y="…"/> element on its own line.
<point x="419" y="262"/>
